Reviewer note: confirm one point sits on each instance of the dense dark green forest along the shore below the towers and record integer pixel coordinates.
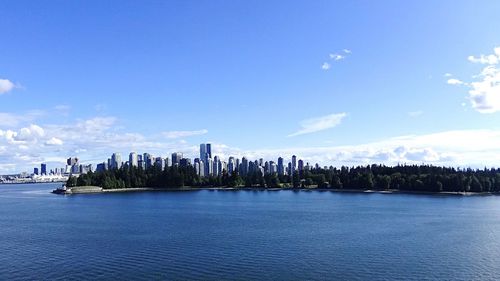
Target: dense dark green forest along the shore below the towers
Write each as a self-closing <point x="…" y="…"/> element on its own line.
<point x="379" y="177"/>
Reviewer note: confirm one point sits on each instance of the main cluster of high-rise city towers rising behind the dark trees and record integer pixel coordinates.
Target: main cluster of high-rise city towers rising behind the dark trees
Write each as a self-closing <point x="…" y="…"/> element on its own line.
<point x="207" y="164"/>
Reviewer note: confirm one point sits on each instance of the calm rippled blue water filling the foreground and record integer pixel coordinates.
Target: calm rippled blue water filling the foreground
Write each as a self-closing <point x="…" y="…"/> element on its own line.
<point x="246" y="235"/>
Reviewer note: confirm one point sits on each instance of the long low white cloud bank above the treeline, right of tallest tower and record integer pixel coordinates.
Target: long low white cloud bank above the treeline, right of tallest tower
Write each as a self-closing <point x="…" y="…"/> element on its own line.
<point x="476" y="148"/>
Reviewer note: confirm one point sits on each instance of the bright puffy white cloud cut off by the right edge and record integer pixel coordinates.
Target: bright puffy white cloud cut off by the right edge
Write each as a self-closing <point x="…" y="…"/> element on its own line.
<point x="484" y="91"/>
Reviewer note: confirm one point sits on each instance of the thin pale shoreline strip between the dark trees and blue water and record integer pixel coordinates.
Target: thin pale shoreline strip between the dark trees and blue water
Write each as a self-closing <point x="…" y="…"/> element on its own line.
<point x="99" y="190"/>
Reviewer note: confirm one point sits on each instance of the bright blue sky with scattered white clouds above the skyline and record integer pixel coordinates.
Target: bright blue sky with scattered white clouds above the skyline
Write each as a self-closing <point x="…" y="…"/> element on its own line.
<point x="333" y="82"/>
